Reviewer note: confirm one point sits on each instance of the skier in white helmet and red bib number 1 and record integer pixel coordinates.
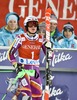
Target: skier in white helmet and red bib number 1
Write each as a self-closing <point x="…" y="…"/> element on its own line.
<point x="28" y="45"/>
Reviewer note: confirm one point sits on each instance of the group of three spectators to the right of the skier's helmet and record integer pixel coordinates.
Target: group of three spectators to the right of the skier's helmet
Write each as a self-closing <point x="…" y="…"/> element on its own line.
<point x="64" y="39"/>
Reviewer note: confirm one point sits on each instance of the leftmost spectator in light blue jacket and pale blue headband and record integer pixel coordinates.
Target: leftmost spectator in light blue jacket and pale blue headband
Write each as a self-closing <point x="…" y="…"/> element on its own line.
<point x="10" y="30"/>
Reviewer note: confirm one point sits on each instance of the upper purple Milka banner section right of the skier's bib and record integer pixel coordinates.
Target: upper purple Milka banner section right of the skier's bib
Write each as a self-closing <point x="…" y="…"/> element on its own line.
<point x="61" y="59"/>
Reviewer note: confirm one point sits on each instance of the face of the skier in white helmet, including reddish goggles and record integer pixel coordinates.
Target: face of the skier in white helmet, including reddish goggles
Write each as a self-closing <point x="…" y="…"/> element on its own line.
<point x="32" y="26"/>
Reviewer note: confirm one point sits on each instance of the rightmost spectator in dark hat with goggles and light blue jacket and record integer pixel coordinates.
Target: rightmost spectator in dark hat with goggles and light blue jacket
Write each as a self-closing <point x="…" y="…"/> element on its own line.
<point x="68" y="38"/>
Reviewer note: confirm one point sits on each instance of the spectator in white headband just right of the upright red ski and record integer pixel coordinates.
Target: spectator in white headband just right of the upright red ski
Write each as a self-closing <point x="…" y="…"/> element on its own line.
<point x="54" y="32"/>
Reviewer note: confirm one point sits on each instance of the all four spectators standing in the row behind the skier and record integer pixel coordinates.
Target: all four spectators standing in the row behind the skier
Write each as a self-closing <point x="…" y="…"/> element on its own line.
<point x="64" y="39"/>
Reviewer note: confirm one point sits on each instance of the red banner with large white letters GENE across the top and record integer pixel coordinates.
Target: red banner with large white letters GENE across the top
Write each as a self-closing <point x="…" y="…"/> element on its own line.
<point x="65" y="10"/>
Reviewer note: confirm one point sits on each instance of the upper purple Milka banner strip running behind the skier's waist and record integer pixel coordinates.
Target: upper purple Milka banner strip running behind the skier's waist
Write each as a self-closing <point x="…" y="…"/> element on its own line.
<point x="62" y="58"/>
